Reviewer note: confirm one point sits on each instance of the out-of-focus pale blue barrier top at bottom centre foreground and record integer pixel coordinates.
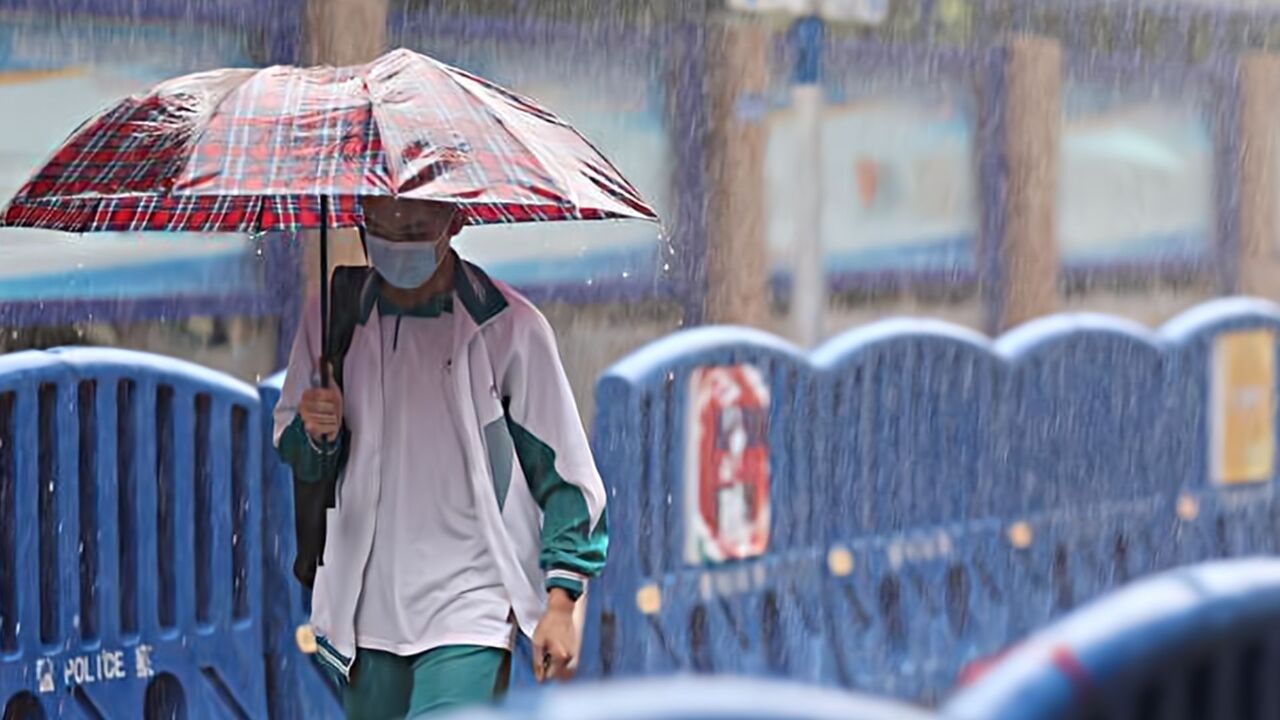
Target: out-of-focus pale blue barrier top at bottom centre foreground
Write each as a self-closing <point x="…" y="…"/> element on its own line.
<point x="693" y="699"/>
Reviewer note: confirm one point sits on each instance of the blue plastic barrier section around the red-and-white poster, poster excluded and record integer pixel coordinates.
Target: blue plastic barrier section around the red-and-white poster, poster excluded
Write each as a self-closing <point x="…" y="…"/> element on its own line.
<point x="642" y="416"/>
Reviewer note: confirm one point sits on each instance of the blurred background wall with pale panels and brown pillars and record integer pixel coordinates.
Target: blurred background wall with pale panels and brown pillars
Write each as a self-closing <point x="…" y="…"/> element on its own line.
<point x="1114" y="158"/>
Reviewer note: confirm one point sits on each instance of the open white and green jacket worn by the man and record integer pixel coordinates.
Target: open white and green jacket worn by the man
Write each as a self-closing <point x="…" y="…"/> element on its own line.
<point x="541" y="498"/>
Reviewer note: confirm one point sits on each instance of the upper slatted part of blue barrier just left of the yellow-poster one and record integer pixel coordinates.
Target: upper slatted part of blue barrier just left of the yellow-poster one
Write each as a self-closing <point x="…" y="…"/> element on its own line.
<point x="1085" y="397"/>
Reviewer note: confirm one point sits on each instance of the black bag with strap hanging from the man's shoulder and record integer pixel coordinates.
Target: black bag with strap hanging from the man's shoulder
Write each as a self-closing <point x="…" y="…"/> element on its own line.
<point x="312" y="502"/>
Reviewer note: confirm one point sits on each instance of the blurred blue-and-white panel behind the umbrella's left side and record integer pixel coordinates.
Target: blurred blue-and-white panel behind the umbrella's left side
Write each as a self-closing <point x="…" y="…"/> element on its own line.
<point x="61" y="72"/>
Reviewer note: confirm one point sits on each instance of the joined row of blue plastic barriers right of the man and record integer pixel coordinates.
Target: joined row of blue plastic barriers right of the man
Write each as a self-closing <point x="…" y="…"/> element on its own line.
<point x="936" y="495"/>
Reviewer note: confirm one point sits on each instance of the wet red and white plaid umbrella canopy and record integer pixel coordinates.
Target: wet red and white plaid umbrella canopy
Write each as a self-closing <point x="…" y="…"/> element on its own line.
<point x="243" y="151"/>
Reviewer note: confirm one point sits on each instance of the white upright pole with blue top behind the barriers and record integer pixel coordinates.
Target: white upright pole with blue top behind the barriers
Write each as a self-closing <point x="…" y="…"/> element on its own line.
<point x="808" y="279"/>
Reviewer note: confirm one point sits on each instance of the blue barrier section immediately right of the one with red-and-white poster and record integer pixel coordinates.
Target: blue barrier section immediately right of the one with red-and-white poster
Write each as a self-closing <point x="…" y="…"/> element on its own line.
<point x="904" y="416"/>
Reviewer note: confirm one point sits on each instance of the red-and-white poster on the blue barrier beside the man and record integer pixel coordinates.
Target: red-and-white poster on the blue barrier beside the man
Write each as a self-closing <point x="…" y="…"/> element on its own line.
<point x="726" y="466"/>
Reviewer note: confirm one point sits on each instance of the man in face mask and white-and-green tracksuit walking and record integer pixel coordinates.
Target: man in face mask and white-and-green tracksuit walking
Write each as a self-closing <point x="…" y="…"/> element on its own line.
<point x="465" y="502"/>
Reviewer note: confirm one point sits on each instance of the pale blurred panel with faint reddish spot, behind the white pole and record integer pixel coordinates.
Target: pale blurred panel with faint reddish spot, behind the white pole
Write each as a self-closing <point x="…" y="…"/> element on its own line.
<point x="899" y="176"/>
